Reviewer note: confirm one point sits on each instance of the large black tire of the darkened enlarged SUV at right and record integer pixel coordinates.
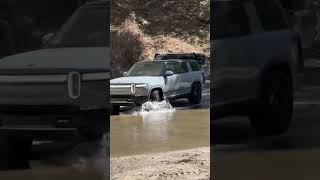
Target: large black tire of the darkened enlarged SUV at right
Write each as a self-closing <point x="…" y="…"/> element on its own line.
<point x="273" y="112"/>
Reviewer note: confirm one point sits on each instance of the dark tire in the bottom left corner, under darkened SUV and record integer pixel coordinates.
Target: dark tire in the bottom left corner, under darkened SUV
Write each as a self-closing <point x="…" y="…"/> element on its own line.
<point x="15" y="153"/>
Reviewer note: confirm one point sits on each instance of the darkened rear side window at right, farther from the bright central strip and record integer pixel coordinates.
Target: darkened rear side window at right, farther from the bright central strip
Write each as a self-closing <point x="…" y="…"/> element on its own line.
<point x="270" y="14"/>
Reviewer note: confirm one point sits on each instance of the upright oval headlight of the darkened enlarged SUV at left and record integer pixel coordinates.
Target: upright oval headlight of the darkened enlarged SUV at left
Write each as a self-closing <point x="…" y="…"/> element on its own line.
<point x="74" y="85"/>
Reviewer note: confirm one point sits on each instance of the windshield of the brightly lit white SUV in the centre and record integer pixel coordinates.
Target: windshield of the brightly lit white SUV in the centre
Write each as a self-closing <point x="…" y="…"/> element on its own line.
<point x="146" y="69"/>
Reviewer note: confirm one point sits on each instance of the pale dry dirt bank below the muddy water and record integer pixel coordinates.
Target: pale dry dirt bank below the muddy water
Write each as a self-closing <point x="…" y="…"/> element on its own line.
<point x="187" y="164"/>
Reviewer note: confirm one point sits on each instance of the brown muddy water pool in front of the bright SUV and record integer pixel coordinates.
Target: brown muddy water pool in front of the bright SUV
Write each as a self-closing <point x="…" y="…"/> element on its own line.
<point x="159" y="131"/>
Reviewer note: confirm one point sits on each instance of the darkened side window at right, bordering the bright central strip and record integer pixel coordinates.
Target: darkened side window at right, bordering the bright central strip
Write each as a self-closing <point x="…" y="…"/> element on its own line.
<point x="229" y="19"/>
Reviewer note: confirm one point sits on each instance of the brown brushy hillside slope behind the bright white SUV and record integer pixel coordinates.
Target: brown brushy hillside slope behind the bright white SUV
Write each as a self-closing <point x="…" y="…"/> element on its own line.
<point x="139" y="29"/>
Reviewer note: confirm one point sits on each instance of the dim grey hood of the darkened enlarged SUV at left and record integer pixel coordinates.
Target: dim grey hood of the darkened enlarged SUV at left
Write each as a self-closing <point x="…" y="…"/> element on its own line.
<point x="46" y="61"/>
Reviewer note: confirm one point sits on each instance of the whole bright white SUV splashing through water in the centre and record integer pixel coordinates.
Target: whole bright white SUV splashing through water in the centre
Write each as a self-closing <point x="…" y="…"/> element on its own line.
<point x="156" y="81"/>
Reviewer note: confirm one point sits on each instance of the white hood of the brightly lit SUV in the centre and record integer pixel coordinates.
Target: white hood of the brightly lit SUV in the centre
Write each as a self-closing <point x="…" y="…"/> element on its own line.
<point x="150" y="80"/>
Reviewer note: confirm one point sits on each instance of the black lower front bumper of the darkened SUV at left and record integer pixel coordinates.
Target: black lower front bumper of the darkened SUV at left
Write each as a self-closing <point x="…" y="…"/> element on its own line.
<point x="51" y="123"/>
